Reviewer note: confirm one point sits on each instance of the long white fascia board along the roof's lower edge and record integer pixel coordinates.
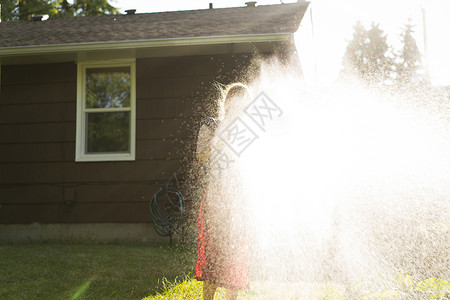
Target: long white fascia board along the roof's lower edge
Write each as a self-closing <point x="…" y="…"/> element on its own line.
<point x="276" y="37"/>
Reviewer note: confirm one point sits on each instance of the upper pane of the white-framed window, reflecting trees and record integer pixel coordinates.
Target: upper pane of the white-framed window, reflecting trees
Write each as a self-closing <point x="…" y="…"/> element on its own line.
<point x="108" y="87"/>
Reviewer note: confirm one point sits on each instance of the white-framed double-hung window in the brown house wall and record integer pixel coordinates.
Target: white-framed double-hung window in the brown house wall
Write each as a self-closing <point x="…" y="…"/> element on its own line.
<point x="106" y="113"/>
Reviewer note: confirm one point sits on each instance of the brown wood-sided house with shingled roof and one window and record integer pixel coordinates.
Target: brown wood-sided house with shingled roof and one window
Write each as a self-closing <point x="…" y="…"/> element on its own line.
<point x="96" y="112"/>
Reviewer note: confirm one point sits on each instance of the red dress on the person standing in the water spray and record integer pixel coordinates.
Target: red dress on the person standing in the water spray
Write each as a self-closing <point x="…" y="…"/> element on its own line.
<point x="222" y="246"/>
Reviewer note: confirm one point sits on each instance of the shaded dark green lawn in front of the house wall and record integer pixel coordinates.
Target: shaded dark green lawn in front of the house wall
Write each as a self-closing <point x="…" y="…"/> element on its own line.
<point x="53" y="271"/>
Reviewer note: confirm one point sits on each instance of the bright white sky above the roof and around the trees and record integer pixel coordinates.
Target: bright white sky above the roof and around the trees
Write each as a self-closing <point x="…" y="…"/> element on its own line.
<point x="322" y="47"/>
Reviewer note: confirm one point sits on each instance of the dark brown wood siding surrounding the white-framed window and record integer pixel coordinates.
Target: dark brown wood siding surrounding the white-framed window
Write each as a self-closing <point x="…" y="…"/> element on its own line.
<point x="39" y="178"/>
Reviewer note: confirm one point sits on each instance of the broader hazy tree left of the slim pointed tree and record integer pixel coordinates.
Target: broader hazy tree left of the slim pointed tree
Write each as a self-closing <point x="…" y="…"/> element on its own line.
<point x="368" y="56"/>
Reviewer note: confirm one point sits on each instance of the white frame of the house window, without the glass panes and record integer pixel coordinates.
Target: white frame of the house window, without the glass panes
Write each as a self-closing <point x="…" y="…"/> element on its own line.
<point x="80" y="153"/>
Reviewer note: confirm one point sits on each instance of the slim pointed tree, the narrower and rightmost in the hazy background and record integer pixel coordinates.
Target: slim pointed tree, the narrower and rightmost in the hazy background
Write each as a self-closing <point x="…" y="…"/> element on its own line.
<point x="409" y="66"/>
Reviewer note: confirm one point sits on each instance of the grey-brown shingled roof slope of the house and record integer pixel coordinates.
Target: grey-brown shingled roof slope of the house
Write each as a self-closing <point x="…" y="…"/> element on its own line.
<point x="269" y="19"/>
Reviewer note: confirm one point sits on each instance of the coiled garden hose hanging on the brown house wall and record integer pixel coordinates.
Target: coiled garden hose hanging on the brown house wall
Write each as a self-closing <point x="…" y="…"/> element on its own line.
<point x="167" y="218"/>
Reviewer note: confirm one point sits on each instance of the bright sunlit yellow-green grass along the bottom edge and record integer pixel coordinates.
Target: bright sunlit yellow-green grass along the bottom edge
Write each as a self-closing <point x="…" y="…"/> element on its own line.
<point x="191" y="289"/>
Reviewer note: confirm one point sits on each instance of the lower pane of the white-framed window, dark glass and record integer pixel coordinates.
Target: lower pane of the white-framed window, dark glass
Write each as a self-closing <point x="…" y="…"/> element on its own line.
<point x="108" y="132"/>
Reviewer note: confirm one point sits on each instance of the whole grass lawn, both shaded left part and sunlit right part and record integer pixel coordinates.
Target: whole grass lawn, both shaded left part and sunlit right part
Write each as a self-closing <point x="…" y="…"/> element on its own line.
<point x="160" y="272"/>
